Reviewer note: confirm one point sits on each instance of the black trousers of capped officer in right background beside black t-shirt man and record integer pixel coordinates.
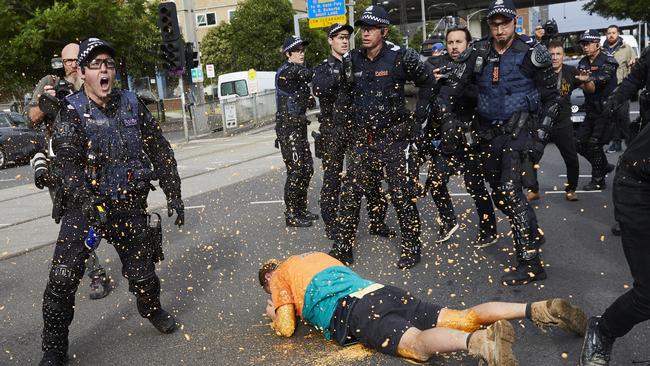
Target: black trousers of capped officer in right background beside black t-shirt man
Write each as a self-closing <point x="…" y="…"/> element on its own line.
<point x="593" y="151"/>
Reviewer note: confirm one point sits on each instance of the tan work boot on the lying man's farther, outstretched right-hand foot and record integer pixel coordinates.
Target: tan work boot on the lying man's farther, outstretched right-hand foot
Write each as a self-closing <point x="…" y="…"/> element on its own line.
<point x="559" y="313"/>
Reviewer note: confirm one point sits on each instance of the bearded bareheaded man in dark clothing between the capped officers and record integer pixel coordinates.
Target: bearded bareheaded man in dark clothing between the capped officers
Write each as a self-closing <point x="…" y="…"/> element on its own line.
<point x="456" y="147"/>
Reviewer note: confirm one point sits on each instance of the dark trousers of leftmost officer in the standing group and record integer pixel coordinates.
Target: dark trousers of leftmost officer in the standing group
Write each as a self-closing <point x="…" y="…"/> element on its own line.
<point x="300" y="166"/>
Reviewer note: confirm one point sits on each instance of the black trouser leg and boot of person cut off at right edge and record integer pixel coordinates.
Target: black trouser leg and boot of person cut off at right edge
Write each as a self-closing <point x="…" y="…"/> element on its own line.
<point x="632" y="208"/>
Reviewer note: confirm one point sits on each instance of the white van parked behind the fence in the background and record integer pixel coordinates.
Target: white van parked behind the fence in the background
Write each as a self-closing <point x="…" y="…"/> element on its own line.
<point x="239" y="84"/>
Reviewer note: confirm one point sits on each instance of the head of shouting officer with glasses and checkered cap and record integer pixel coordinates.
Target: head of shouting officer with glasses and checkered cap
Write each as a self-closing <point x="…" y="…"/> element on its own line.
<point x="98" y="70"/>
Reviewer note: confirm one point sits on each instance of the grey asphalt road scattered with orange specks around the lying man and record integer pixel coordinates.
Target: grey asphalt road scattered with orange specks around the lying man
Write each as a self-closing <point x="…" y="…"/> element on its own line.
<point x="210" y="281"/>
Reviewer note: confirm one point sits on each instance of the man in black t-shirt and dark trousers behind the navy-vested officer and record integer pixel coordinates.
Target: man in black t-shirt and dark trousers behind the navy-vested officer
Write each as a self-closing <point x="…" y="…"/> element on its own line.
<point x="569" y="79"/>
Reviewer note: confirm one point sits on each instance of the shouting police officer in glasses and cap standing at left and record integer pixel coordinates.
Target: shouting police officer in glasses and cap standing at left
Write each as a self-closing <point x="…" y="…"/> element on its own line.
<point x="109" y="148"/>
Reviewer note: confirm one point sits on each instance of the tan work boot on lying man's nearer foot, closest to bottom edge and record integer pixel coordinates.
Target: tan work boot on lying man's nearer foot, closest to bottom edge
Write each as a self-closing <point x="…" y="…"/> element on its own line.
<point x="494" y="344"/>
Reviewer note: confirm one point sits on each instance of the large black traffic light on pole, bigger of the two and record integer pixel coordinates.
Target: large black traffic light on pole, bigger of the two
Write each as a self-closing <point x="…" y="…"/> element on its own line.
<point x="173" y="52"/>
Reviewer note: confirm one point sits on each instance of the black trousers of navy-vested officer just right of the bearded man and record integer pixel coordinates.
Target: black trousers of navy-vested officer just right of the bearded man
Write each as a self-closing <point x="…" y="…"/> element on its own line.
<point x="502" y="158"/>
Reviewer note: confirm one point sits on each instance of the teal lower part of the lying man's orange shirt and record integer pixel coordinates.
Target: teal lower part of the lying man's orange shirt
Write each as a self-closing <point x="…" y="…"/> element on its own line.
<point x="324" y="292"/>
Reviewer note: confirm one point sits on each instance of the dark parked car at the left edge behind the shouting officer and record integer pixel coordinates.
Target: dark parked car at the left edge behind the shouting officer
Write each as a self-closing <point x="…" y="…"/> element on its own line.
<point x="18" y="143"/>
